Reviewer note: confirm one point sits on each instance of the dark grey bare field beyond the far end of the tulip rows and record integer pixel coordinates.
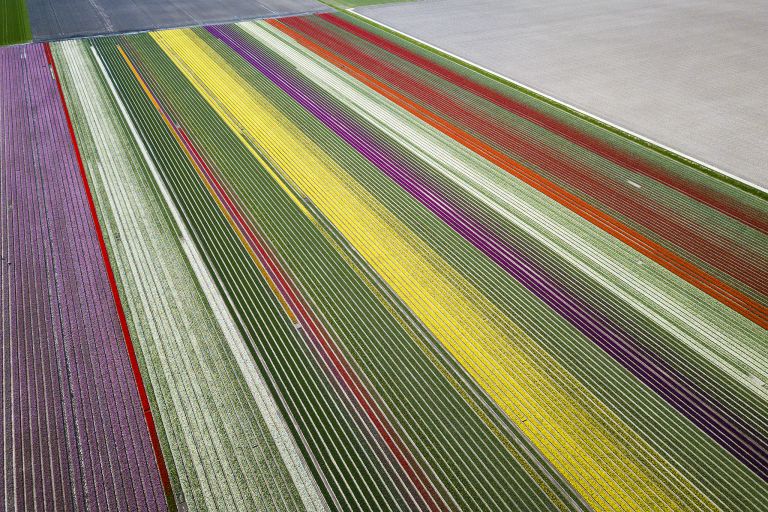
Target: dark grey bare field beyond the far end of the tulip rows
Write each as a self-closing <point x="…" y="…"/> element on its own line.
<point x="58" y="19"/>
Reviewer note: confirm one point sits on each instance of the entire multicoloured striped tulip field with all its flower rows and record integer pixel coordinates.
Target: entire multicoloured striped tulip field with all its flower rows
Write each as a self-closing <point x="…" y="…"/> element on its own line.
<point x="307" y="263"/>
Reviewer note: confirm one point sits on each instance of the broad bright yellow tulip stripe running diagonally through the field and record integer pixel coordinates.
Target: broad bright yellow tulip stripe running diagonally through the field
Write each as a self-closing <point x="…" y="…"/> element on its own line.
<point x="602" y="458"/>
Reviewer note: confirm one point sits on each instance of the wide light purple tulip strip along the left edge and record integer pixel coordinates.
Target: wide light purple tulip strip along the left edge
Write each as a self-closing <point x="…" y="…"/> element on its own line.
<point x="74" y="435"/>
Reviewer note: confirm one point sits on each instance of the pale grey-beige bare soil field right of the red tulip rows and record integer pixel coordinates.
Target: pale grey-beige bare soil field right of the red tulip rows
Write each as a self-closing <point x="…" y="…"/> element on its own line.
<point x="689" y="74"/>
